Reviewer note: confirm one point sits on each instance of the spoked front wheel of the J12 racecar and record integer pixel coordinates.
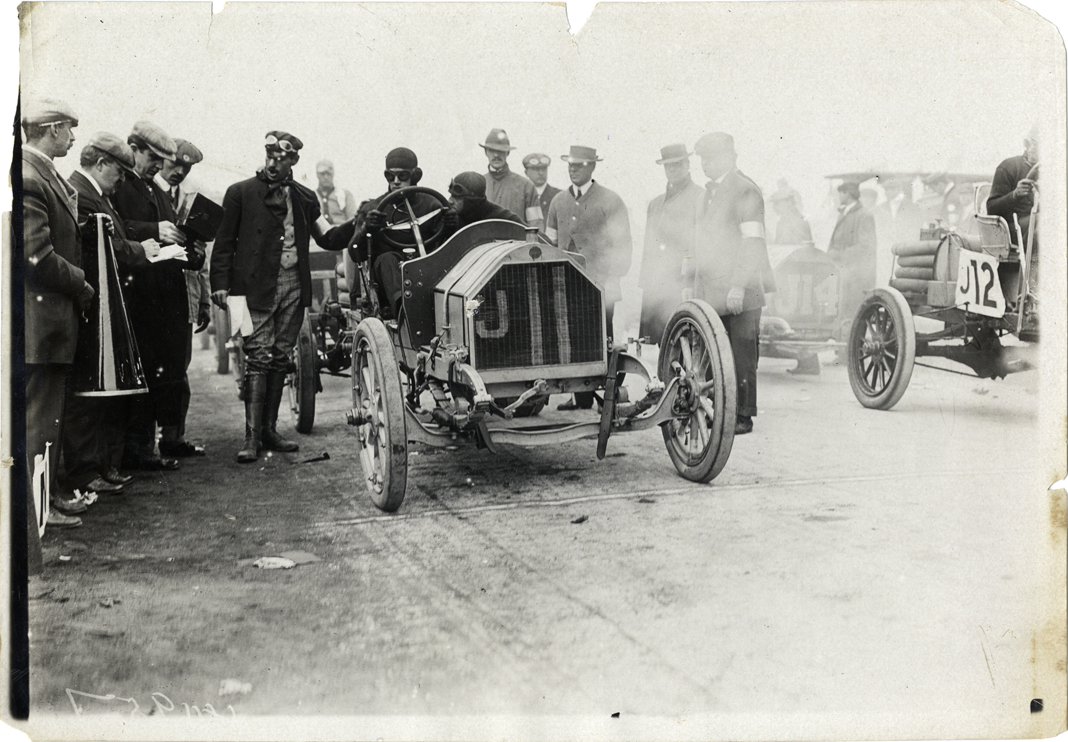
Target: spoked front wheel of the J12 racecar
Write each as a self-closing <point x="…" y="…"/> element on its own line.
<point x="882" y="350"/>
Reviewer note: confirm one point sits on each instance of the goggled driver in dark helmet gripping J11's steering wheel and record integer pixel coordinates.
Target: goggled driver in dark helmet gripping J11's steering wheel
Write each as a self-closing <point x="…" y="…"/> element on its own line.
<point x="402" y="171"/>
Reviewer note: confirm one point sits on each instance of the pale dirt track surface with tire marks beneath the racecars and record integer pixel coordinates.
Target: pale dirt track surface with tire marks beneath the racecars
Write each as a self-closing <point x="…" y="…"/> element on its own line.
<point x="846" y="562"/>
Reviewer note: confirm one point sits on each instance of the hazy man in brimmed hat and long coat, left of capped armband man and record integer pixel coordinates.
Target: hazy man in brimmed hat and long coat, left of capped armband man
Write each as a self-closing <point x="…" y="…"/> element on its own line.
<point x="670" y="230"/>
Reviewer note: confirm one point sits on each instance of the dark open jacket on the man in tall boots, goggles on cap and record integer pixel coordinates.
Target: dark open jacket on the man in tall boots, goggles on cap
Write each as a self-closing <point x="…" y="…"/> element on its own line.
<point x="248" y="248"/>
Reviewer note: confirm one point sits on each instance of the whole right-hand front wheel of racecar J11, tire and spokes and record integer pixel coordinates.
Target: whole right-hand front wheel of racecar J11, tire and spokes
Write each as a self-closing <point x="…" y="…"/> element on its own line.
<point x="700" y="445"/>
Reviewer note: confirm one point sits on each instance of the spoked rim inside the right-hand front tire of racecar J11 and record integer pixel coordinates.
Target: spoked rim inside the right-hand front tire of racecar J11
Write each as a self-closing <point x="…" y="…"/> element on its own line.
<point x="693" y="435"/>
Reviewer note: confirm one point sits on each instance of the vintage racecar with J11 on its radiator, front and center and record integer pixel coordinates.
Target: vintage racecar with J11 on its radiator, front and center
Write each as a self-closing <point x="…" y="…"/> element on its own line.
<point x="494" y="321"/>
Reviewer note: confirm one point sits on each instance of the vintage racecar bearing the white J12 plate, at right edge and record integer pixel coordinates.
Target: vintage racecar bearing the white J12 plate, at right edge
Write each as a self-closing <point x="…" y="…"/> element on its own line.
<point x="977" y="285"/>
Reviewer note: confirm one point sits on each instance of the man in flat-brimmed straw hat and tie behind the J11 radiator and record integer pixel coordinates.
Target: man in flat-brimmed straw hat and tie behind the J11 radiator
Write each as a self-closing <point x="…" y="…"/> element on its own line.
<point x="590" y="219"/>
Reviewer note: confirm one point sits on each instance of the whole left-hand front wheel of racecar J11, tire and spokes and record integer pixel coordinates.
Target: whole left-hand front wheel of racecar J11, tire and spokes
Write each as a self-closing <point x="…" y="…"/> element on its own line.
<point x="379" y="399"/>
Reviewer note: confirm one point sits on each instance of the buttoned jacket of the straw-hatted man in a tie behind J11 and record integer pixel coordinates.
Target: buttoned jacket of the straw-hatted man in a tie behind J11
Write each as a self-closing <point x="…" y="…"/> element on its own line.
<point x="599" y="227"/>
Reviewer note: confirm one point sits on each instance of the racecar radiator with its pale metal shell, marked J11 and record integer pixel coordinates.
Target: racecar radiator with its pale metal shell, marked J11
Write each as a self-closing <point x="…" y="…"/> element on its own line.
<point x="530" y="308"/>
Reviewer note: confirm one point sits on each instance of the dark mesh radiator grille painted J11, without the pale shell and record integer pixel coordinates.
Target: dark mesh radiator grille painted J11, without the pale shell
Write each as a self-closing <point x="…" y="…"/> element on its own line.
<point x="538" y="314"/>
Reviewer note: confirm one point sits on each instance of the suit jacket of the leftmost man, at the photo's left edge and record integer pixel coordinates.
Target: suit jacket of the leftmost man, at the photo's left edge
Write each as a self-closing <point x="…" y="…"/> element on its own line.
<point x="52" y="248"/>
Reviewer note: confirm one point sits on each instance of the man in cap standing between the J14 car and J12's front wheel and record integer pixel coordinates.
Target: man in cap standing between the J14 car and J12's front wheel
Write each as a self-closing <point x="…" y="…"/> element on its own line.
<point x="853" y="247"/>
